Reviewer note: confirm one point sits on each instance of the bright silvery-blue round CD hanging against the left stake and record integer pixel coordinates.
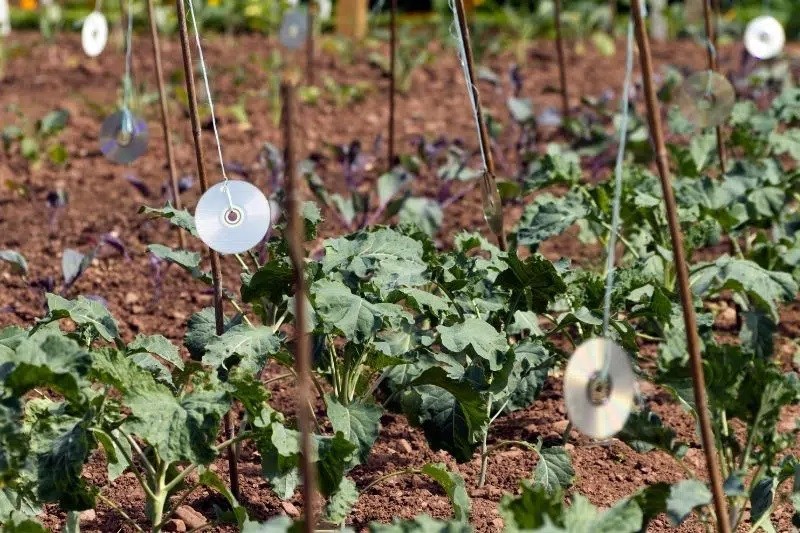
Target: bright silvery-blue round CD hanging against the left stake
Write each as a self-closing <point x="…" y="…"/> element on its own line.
<point x="232" y="217"/>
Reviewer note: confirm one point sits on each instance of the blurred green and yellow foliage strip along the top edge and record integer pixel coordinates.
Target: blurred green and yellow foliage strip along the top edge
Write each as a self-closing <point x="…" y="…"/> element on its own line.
<point x="530" y="18"/>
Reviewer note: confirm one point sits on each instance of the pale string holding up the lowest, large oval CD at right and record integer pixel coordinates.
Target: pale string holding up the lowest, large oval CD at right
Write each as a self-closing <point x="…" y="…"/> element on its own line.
<point x="618" y="172"/>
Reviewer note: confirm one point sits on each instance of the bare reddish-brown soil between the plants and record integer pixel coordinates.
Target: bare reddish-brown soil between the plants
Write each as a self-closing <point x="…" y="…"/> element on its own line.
<point x="44" y="77"/>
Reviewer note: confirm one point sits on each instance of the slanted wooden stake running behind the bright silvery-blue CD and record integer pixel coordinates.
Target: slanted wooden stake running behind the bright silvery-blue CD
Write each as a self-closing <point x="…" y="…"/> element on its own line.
<point x="216" y="273"/>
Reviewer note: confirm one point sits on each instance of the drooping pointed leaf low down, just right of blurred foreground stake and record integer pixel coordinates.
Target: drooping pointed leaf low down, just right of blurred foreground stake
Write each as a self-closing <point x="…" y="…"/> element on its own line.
<point x="359" y="422"/>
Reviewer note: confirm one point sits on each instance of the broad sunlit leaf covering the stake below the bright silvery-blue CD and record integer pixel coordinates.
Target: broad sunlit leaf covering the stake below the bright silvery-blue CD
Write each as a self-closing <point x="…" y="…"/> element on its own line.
<point x="252" y="346"/>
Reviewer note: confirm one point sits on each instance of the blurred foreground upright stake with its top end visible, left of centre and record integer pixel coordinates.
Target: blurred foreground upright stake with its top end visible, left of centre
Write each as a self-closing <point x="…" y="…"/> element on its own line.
<point x="302" y="342"/>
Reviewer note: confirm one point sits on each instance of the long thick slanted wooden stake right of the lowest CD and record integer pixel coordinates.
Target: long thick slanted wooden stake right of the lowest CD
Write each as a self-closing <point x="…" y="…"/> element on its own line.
<point x="682" y="271"/>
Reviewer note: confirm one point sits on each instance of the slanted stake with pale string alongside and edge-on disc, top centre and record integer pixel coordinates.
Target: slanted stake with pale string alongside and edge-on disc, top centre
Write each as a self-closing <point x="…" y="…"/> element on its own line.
<point x="492" y="207"/>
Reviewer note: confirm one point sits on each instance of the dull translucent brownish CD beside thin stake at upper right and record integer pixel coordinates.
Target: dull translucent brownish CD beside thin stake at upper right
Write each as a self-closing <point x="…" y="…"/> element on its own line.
<point x="706" y="99"/>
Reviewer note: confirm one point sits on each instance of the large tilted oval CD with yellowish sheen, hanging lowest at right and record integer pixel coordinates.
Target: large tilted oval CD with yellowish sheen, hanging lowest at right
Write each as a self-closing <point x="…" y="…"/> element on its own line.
<point x="596" y="407"/>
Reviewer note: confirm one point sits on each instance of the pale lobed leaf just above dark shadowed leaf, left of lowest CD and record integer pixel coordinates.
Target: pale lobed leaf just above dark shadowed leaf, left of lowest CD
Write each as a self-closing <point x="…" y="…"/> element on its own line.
<point x="485" y="341"/>
